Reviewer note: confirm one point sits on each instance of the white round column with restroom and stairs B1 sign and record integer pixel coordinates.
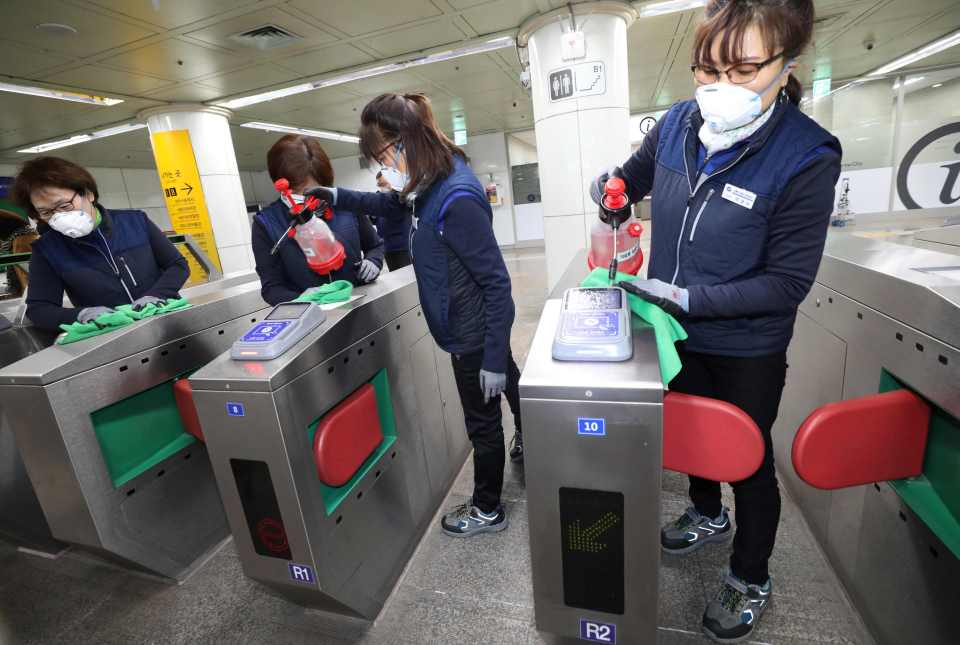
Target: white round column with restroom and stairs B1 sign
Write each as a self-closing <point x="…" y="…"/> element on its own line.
<point x="582" y="124"/>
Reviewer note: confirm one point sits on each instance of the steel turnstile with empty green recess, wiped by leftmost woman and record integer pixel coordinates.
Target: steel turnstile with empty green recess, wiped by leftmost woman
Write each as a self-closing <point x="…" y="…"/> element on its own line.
<point x="114" y="463"/>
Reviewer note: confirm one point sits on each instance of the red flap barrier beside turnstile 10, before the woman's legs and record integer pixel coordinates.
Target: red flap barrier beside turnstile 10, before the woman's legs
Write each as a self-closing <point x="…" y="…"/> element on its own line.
<point x="709" y="438"/>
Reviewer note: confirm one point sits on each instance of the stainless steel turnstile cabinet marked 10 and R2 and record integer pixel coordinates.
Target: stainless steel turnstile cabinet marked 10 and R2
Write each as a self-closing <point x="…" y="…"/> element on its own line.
<point x="592" y="433"/>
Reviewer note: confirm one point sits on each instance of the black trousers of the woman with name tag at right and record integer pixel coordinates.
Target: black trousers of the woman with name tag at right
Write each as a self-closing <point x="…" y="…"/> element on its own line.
<point x="755" y="385"/>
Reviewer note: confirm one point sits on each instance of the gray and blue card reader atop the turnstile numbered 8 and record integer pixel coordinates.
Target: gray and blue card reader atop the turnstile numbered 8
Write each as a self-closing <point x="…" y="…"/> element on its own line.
<point x="283" y="327"/>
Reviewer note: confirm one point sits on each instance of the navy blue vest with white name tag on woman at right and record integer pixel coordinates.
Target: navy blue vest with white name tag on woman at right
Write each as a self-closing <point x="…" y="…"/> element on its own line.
<point x="702" y="238"/>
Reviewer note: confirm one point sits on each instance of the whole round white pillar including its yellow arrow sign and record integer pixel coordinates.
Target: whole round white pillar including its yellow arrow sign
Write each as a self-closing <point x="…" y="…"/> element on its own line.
<point x="198" y="172"/>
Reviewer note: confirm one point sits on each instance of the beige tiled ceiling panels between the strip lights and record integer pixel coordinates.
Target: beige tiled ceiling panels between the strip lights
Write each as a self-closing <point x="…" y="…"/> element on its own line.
<point x="151" y="52"/>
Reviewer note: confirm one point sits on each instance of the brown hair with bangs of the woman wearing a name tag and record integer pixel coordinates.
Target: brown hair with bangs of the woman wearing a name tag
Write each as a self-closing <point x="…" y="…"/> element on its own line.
<point x="786" y="26"/>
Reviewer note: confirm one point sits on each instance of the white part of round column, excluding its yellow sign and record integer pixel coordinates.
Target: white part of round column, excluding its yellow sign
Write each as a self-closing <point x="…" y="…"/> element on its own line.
<point x="222" y="190"/>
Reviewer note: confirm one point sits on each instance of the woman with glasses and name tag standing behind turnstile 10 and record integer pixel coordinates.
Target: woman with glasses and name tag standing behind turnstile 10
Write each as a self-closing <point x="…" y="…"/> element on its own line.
<point x="743" y="187"/>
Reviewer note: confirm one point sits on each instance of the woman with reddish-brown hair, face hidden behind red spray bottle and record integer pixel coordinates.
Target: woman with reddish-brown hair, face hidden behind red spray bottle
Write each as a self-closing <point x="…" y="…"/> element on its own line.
<point x="284" y="272"/>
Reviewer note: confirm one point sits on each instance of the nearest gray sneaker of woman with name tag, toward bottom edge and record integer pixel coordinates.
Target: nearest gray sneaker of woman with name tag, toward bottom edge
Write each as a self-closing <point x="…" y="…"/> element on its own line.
<point x="732" y="616"/>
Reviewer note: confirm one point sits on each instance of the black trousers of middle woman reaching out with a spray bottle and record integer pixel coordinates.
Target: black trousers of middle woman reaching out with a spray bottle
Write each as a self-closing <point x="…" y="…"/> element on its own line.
<point x="485" y="425"/>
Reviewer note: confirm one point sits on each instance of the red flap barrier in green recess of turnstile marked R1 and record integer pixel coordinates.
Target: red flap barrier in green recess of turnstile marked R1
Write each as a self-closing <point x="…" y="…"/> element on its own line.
<point x="346" y="436"/>
